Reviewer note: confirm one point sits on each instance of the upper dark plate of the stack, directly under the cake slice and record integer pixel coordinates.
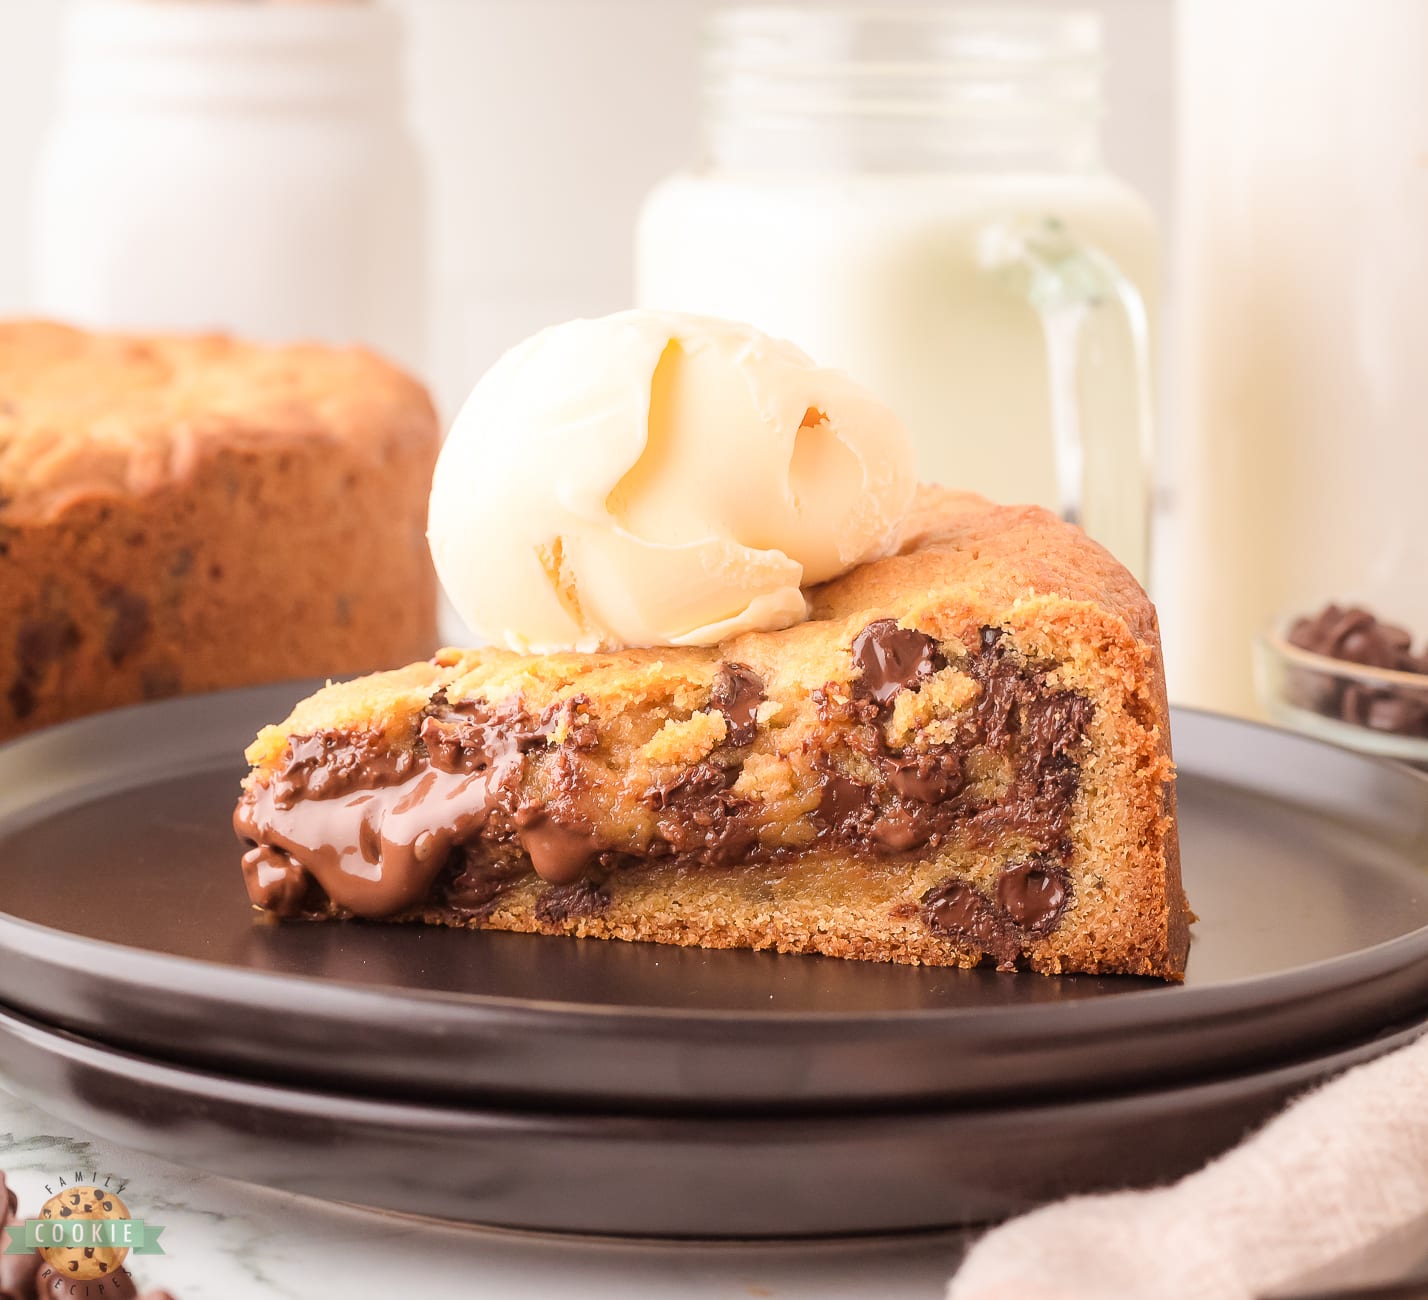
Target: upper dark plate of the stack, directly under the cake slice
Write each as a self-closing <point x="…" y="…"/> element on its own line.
<point x="124" y="918"/>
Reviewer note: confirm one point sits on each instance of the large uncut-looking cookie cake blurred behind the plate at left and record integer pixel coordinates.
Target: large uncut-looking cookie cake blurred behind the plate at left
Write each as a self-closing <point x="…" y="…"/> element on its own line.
<point x="193" y="514"/>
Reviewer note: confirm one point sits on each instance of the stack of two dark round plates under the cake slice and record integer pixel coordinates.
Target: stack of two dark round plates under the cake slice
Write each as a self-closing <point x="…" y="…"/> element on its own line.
<point x="602" y="1088"/>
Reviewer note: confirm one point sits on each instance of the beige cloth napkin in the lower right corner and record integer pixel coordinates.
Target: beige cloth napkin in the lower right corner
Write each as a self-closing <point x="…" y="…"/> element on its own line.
<point x="1342" y="1175"/>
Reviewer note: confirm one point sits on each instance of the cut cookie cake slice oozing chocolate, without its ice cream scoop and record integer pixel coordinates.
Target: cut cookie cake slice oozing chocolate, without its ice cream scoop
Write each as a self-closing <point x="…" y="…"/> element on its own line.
<point x="962" y="755"/>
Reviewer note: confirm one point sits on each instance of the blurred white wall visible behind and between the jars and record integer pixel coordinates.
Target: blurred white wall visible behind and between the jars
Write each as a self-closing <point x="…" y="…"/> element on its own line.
<point x="545" y="124"/>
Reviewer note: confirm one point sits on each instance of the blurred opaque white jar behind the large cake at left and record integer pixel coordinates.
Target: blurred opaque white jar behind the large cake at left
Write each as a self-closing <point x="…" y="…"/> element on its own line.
<point x="233" y="165"/>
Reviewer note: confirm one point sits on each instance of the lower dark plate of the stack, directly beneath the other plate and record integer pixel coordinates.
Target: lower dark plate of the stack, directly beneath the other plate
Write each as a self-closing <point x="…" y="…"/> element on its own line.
<point x="733" y="1176"/>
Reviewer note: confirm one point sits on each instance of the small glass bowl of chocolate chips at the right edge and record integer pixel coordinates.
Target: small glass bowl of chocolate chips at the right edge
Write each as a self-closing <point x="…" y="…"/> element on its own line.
<point x="1350" y="676"/>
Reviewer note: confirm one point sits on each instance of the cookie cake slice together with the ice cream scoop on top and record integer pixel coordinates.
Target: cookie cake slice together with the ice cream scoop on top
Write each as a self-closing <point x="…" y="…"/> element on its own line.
<point x="863" y="724"/>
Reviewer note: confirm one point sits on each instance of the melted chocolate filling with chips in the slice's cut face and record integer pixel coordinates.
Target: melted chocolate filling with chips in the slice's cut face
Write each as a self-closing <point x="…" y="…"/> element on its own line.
<point x="486" y="796"/>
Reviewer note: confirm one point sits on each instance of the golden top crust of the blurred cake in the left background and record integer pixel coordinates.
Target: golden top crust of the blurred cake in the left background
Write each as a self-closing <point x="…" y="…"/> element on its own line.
<point x="89" y="415"/>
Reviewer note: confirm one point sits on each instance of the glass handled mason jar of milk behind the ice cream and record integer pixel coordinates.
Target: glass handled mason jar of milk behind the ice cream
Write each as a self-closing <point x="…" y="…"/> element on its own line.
<point x="917" y="198"/>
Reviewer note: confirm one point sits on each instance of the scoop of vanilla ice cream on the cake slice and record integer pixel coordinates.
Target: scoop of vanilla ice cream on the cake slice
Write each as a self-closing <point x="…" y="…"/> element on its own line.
<point x="656" y="479"/>
